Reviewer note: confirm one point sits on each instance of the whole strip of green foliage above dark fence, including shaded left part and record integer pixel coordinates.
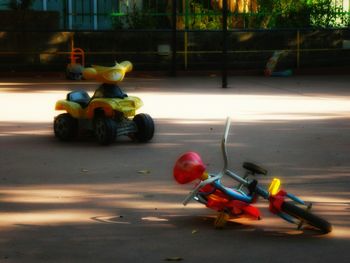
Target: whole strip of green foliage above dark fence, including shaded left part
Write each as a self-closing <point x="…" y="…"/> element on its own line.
<point x="205" y="15"/>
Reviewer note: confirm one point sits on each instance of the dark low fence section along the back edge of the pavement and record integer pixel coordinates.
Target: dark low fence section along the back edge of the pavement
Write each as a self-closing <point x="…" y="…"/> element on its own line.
<point x="195" y="50"/>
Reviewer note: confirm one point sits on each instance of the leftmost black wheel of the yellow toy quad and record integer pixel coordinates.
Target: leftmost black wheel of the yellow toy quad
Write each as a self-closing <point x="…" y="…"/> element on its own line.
<point x="65" y="127"/>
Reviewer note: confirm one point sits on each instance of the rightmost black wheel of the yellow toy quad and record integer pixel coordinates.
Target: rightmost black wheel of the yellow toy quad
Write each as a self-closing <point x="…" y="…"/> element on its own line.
<point x="145" y="127"/>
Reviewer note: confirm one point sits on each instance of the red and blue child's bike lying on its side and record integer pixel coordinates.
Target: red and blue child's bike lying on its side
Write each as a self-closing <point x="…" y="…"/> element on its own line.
<point x="237" y="201"/>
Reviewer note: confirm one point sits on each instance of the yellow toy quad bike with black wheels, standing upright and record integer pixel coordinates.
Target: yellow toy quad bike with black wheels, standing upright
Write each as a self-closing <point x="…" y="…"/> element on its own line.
<point x="108" y="114"/>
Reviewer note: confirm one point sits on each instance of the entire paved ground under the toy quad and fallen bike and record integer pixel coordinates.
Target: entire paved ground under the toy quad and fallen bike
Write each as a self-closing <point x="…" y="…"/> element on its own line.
<point x="80" y="202"/>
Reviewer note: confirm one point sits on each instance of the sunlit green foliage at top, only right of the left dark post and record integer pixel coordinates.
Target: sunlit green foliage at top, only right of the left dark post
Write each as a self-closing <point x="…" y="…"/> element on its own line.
<point x="272" y="14"/>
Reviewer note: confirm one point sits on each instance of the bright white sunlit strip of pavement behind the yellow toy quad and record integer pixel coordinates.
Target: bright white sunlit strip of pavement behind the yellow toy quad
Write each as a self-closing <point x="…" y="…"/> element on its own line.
<point x="39" y="106"/>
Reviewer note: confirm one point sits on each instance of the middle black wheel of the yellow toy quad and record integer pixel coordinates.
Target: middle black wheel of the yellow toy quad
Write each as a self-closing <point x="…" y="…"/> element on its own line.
<point x="105" y="130"/>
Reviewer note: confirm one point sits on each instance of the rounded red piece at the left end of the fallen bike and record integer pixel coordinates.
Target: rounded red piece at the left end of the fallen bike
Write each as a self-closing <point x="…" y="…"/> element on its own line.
<point x="188" y="168"/>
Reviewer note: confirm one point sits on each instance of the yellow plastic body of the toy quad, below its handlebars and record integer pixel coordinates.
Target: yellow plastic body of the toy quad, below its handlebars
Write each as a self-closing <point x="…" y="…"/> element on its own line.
<point x="127" y="106"/>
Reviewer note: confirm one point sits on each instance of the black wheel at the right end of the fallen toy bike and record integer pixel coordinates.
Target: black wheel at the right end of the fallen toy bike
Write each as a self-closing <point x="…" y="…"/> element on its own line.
<point x="307" y="217"/>
